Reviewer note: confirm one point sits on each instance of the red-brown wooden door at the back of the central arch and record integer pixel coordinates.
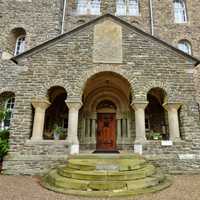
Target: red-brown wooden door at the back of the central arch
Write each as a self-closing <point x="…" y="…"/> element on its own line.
<point x="106" y="132"/>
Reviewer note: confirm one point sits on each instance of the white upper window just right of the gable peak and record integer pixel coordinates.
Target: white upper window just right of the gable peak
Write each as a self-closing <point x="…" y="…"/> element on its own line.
<point x="127" y="7"/>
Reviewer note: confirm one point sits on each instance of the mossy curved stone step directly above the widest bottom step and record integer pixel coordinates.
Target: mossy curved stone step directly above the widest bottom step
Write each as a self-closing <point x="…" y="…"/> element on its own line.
<point x="147" y="170"/>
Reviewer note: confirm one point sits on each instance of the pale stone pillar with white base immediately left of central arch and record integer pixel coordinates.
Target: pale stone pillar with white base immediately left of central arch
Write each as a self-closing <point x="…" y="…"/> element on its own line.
<point x="73" y="126"/>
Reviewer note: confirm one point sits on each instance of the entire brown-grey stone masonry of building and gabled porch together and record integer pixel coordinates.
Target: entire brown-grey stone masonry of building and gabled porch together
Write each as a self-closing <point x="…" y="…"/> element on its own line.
<point x="68" y="63"/>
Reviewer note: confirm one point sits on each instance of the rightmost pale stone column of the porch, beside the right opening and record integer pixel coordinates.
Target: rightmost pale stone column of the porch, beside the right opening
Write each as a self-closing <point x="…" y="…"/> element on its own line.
<point x="172" y="109"/>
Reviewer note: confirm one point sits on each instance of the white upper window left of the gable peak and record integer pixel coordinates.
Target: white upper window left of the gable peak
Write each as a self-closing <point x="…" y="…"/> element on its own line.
<point x="89" y="7"/>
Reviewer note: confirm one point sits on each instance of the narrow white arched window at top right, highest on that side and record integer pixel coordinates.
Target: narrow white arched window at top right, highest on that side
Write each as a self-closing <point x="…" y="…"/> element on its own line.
<point x="180" y="13"/>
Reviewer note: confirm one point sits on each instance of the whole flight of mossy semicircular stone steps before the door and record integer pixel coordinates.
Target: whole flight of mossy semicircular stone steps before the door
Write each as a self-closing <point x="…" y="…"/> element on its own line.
<point x="106" y="176"/>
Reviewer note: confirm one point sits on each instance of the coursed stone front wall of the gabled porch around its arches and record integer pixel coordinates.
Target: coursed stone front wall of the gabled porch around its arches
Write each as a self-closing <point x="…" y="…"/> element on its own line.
<point x="67" y="62"/>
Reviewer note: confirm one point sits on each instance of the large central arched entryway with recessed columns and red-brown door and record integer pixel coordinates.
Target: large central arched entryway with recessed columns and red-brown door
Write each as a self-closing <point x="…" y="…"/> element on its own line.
<point x="106" y="118"/>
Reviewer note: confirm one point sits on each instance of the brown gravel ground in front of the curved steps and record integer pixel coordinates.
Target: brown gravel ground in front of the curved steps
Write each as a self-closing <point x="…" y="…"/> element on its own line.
<point x="28" y="188"/>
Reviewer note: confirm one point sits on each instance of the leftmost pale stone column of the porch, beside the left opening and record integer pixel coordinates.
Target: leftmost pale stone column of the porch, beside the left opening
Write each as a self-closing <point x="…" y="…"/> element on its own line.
<point x="40" y="106"/>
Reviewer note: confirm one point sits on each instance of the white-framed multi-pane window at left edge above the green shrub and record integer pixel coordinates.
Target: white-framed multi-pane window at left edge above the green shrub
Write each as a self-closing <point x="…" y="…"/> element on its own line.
<point x="9" y="105"/>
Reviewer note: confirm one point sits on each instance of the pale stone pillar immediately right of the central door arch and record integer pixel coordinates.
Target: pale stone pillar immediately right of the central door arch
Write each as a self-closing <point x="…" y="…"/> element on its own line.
<point x="139" y="108"/>
